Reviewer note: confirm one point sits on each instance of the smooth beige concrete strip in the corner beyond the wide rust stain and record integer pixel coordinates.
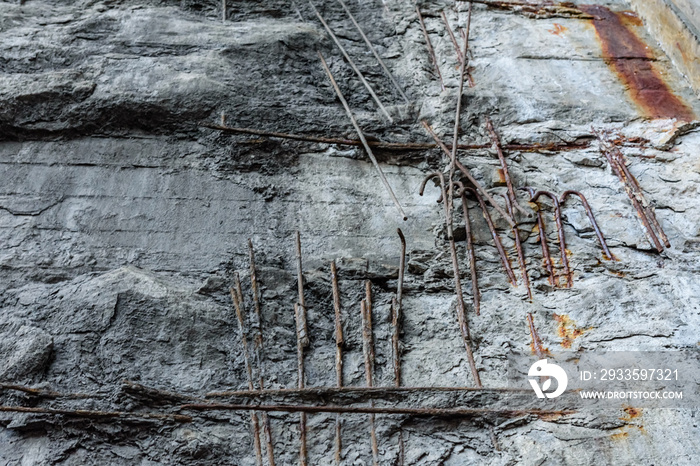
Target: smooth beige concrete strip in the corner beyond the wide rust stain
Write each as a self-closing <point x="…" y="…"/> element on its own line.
<point x="677" y="29"/>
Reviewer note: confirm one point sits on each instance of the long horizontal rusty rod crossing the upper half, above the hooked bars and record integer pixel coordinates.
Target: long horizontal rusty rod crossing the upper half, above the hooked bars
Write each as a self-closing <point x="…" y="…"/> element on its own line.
<point x="392" y="146"/>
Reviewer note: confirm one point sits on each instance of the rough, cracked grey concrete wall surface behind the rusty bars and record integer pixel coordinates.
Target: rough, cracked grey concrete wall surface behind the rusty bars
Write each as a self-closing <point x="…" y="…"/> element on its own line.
<point x="122" y="221"/>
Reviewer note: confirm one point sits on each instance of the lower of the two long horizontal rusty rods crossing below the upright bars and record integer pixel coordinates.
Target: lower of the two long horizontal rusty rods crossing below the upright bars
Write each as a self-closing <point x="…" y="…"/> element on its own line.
<point x="447" y="412"/>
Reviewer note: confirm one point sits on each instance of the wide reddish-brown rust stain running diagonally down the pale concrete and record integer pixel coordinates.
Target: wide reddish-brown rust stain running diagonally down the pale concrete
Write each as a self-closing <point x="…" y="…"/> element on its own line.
<point x="631" y="60"/>
